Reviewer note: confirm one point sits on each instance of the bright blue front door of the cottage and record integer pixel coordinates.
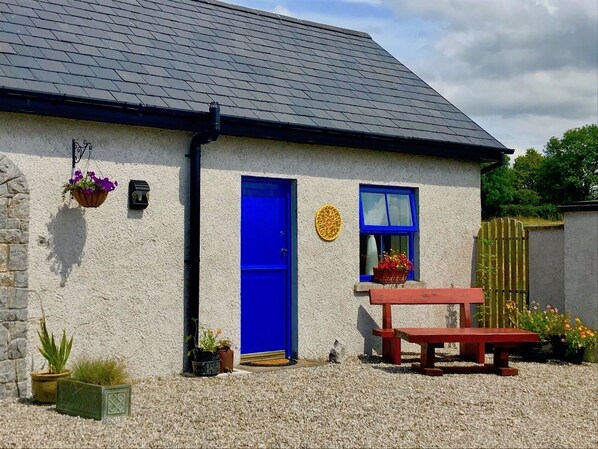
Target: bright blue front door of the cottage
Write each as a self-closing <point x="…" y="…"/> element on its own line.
<point x="265" y="273"/>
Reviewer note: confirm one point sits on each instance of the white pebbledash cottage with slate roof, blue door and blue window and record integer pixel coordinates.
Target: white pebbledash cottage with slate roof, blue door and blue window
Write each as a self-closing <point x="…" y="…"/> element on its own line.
<point x="309" y="115"/>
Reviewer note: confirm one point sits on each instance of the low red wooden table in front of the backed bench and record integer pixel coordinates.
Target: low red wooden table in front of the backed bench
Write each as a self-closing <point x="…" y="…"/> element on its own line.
<point x="503" y="339"/>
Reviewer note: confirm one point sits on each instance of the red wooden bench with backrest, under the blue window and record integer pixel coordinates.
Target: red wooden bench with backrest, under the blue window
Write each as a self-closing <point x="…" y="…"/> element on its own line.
<point x="387" y="297"/>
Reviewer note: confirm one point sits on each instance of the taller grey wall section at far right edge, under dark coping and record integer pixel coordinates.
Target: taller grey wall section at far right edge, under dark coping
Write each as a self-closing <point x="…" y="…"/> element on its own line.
<point x="581" y="260"/>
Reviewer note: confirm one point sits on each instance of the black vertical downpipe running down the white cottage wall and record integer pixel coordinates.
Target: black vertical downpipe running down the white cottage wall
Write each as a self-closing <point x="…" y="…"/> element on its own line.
<point x="210" y="134"/>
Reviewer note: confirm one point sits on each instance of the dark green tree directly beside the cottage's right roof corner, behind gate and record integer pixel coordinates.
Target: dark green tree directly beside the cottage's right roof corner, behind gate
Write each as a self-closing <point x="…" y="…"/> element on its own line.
<point x="498" y="188"/>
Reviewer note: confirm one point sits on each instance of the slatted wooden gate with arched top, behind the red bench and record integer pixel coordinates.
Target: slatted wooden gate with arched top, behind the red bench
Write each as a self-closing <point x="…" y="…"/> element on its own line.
<point x="502" y="269"/>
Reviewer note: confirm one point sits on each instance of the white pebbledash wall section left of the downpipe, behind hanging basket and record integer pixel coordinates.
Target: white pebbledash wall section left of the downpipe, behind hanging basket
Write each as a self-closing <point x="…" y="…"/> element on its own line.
<point x="110" y="276"/>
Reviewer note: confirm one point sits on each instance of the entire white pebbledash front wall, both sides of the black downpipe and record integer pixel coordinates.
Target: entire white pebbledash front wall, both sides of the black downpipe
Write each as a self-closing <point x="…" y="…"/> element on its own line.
<point x="115" y="277"/>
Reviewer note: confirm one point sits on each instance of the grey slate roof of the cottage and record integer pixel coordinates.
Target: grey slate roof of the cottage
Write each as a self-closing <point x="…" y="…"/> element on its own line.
<point x="183" y="54"/>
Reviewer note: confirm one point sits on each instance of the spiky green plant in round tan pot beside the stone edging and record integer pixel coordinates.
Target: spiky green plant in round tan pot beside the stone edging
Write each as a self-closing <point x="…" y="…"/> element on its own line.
<point x="43" y="382"/>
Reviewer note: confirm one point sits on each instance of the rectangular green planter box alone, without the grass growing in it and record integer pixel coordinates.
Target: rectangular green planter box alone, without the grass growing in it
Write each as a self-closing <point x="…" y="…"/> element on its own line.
<point x="93" y="401"/>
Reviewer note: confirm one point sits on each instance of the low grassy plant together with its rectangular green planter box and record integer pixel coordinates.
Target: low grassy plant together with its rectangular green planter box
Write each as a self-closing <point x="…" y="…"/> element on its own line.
<point x="98" y="388"/>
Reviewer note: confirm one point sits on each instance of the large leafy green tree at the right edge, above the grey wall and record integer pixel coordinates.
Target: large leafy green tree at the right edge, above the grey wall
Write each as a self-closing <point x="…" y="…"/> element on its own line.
<point x="569" y="171"/>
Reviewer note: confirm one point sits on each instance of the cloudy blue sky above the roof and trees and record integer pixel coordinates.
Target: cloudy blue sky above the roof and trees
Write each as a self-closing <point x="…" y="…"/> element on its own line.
<point x="525" y="70"/>
